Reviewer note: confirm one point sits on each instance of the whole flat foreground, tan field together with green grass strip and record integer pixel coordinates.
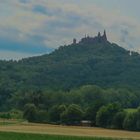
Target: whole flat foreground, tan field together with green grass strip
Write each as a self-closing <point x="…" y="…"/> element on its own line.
<point x="66" y="131"/>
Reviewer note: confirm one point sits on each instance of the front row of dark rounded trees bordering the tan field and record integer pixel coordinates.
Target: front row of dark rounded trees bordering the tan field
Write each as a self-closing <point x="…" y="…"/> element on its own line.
<point x="106" y="116"/>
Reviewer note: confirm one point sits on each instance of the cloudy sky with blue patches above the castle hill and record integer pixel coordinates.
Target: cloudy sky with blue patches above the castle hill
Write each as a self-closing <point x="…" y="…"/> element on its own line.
<point x="33" y="27"/>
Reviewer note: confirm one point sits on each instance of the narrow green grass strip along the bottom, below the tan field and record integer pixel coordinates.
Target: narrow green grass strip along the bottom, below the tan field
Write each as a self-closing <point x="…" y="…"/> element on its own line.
<point x="24" y="136"/>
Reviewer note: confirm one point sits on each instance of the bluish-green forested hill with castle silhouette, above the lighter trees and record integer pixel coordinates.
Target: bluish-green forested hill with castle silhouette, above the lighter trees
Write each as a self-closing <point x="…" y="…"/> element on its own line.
<point x="93" y="61"/>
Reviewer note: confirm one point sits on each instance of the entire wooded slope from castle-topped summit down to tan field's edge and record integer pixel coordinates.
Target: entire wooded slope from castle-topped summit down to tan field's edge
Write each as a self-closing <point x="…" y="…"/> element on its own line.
<point x="85" y="78"/>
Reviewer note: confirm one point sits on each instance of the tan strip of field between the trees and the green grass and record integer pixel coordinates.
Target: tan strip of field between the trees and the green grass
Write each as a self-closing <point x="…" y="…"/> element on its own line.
<point x="65" y="130"/>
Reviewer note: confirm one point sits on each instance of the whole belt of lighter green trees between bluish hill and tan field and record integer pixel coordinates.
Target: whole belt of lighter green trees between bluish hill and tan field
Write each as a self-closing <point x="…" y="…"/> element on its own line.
<point x="102" y="107"/>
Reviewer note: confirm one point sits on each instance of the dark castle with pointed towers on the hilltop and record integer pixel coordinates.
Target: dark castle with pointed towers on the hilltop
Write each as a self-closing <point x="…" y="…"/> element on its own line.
<point x="90" y="40"/>
